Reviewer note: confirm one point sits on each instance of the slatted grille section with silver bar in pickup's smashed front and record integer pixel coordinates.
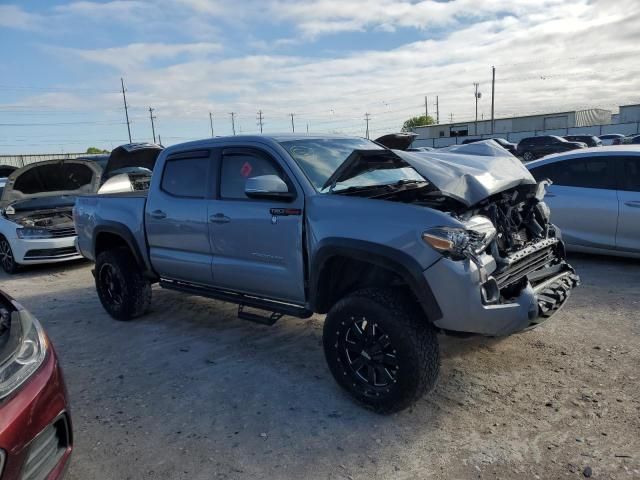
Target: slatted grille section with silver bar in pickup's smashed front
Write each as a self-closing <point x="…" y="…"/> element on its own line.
<point x="525" y="262"/>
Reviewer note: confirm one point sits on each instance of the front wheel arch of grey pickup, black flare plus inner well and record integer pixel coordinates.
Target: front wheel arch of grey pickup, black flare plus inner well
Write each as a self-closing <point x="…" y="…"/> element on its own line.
<point x="380" y="259"/>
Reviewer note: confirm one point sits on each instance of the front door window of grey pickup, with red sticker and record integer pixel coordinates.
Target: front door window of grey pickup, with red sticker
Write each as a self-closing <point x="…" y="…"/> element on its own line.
<point x="237" y="168"/>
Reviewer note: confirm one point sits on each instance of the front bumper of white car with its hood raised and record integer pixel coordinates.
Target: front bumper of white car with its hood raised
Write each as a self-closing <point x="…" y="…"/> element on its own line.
<point x="48" y="250"/>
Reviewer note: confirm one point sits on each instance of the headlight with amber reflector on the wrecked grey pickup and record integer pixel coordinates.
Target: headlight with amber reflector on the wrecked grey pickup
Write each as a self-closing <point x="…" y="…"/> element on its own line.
<point x="455" y="242"/>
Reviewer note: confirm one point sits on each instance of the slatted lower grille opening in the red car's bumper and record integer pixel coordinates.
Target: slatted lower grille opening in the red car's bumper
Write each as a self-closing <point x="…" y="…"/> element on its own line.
<point x="46" y="450"/>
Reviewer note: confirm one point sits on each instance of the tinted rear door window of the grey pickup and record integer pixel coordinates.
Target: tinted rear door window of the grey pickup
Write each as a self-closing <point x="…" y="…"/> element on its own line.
<point x="186" y="177"/>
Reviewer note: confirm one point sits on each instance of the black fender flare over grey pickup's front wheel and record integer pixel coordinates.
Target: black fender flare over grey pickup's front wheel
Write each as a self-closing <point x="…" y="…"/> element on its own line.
<point x="390" y="258"/>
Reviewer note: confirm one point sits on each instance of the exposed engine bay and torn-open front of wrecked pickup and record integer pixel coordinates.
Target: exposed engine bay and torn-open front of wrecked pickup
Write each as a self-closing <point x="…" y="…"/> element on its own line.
<point x="526" y="247"/>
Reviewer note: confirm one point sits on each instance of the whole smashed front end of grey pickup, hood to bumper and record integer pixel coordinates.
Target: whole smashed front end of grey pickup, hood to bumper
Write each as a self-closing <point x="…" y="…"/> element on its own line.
<point x="506" y="252"/>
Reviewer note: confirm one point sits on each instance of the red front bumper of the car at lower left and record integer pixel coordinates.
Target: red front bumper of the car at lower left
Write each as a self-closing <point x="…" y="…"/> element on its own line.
<point x="35" y="428"/>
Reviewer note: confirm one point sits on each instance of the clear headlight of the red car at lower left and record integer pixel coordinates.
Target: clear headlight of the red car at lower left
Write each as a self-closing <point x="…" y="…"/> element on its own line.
<point x="22" y="351"/>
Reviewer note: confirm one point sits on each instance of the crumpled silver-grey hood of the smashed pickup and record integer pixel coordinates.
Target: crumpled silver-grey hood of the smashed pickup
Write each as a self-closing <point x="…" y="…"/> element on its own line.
<point x="470" y="173"/>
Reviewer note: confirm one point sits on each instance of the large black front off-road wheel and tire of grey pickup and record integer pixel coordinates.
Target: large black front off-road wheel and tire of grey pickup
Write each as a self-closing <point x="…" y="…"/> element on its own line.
<point x="413" y="343"/>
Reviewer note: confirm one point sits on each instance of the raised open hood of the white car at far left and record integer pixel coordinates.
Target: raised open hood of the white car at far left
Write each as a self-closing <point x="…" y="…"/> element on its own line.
<point x="51" y="178"/>
